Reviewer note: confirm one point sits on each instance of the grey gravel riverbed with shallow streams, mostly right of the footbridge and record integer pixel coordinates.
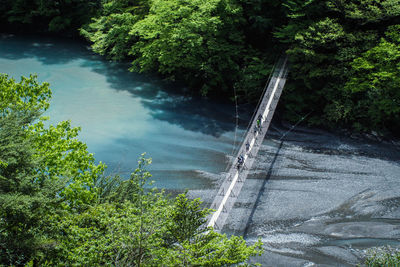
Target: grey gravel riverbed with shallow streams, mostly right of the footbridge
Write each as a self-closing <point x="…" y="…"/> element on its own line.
<point x="317" y="199"/>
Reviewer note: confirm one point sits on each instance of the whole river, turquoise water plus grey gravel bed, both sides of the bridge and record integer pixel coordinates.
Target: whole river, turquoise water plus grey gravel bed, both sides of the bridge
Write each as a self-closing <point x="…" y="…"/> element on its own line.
<point x="316" y="198"/>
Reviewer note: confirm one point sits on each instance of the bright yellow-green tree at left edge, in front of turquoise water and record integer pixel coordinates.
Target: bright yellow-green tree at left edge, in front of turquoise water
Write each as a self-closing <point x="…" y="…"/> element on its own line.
<point x="43" y="171"/>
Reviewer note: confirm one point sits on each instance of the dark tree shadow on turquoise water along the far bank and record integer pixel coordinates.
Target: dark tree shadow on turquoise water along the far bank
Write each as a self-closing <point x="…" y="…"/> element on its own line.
<point x="166" y="101"/>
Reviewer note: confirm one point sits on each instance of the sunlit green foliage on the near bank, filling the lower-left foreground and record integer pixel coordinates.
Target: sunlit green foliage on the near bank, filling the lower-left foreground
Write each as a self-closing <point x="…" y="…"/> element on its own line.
<point x="57" y="208"/>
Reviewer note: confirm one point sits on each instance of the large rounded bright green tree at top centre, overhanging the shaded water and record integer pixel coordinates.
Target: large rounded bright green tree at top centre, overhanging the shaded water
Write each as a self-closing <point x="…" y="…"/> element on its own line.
<point x="195" y="40"/>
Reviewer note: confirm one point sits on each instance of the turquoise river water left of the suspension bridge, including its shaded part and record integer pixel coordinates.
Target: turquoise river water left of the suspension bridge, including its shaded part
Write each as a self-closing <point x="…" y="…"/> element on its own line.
<point x="123" y="114"/>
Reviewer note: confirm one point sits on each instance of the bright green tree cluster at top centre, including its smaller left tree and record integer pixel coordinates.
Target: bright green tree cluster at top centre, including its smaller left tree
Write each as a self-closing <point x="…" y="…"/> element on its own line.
<point x="196" y="41"/>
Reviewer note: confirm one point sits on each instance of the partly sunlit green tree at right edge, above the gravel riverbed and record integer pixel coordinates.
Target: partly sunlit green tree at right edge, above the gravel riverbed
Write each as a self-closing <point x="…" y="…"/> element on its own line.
<point x="374" y="84"/>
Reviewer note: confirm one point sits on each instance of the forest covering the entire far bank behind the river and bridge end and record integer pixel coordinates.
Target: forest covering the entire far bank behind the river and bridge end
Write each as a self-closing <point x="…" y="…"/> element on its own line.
<point x="344" y="55"/>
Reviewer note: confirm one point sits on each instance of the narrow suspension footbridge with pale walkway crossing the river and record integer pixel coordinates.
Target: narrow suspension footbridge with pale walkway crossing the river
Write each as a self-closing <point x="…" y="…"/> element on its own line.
<point x="230" y="188"/>
